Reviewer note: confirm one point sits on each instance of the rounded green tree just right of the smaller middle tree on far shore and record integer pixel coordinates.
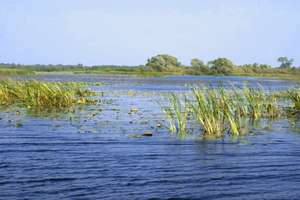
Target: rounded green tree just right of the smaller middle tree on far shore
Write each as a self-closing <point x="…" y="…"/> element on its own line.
<point x="221" y="66"/>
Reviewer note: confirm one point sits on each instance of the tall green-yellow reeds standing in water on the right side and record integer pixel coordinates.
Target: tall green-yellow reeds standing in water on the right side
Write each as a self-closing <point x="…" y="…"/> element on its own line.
<point x="233" y="111"/>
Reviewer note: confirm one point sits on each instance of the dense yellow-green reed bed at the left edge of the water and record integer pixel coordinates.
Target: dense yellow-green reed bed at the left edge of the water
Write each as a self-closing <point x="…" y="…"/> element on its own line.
<point x="43" y="95"/>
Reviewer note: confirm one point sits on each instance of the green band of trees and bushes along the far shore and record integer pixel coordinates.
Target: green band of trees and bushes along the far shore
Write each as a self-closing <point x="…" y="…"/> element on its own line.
<point x="164" y="64"/>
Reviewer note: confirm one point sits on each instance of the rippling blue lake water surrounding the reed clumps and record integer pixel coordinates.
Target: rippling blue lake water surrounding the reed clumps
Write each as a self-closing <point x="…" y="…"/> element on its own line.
<point x="87" y="154"/>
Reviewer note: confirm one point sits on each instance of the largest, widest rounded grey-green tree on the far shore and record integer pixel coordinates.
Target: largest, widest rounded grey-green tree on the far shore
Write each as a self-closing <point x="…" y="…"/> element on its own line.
<point x="163" y="62"/>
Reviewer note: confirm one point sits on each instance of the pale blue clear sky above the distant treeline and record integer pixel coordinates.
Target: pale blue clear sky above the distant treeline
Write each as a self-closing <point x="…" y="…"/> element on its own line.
<point x="128" y="32"/>
